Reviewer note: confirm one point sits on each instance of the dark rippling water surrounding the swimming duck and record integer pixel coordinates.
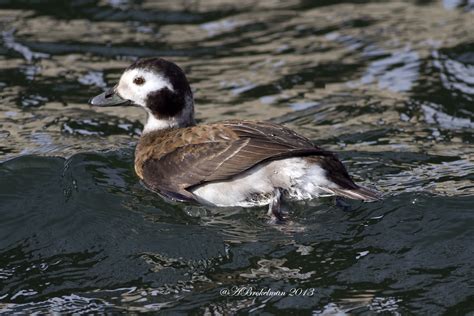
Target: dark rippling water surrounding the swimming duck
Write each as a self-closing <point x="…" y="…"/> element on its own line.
<point x="387" y="85"/>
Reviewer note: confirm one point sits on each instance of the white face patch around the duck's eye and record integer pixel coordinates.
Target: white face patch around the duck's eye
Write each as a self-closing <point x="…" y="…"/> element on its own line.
<point x="128" y="89"/>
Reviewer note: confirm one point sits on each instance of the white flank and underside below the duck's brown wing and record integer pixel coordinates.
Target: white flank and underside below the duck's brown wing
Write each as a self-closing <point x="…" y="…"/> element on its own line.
<point x="297" y="178"/>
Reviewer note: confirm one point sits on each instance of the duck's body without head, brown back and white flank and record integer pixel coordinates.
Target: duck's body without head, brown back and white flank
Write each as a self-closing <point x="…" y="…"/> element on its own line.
<point x="238" y="163"/>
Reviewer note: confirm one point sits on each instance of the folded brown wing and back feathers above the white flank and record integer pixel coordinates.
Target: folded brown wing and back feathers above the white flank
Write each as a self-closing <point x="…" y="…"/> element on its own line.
<point x="235" y="146"/>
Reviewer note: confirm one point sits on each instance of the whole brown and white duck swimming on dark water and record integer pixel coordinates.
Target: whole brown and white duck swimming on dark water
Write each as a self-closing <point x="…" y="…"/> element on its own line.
<point x="223" y="164"/>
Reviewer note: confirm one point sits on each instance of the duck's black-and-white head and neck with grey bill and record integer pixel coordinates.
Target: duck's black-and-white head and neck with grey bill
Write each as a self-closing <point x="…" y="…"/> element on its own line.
<point x="157" y="85"/>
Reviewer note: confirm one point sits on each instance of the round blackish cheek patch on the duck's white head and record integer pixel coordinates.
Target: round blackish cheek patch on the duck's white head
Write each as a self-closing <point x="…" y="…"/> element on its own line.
<point x="165" y="103"/>
